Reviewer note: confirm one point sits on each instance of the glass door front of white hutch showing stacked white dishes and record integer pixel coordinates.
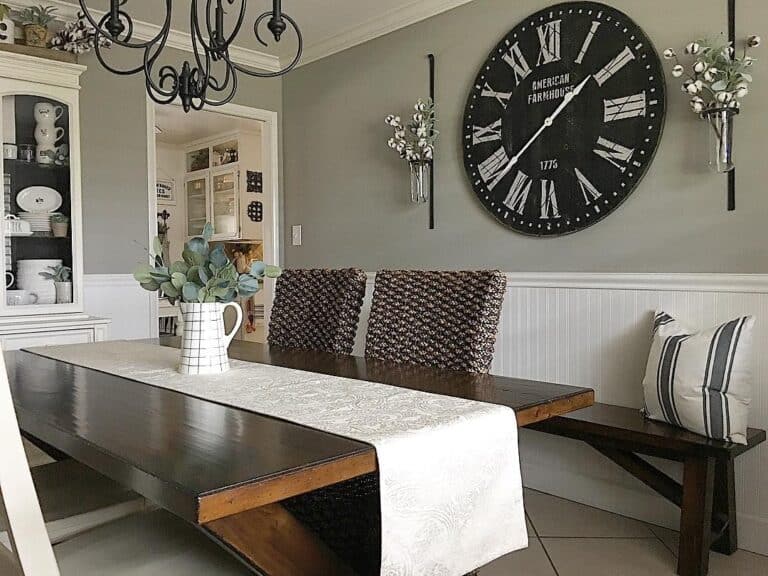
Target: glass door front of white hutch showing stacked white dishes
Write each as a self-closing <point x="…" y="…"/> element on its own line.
<point x="37" y="204"/>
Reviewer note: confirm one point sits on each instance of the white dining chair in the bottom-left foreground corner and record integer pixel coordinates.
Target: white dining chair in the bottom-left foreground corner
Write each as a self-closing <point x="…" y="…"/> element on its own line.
<point x="143" y="544"/>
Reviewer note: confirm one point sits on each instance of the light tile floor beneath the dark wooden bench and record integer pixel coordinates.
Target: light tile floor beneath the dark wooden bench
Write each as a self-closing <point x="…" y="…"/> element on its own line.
<point x="569" y="539"/>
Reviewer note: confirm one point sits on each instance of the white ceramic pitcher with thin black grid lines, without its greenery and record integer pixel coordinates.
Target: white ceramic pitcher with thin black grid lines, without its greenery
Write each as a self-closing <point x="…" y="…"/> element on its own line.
<point x="204" y="342"/>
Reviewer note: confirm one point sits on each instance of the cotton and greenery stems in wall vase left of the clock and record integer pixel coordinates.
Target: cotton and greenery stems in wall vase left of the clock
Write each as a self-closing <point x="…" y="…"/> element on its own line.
<point x="415" y="142"/>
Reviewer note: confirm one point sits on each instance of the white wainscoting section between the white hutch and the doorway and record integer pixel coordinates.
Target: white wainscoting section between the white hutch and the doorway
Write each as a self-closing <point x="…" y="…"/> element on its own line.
<point x="120" y="298"/>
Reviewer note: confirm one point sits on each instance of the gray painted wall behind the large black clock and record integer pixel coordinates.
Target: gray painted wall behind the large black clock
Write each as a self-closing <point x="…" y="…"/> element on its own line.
<point x="349" y="191"/>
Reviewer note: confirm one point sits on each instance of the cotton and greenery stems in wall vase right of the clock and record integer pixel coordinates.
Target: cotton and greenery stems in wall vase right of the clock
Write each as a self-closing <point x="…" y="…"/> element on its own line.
<point x="716" y="77"/>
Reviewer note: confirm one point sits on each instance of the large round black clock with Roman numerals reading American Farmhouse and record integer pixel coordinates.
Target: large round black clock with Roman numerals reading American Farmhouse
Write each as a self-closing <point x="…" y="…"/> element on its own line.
<point x="564" y="119"/>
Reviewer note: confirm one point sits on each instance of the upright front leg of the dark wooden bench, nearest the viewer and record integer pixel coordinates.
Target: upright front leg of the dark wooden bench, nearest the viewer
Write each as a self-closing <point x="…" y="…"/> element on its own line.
<point x="696" y="516"/>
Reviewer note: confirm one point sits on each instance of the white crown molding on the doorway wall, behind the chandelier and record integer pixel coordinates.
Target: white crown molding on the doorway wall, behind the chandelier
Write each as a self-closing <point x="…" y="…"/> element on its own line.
<point x="144" y="31"/>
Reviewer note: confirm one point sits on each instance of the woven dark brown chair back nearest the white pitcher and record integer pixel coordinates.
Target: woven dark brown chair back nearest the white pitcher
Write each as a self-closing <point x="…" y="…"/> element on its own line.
<point x="317" y="310"/>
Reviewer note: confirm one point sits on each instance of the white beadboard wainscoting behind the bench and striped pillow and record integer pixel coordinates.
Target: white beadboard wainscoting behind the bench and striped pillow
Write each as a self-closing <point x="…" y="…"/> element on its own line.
<point x="594" y="330"/>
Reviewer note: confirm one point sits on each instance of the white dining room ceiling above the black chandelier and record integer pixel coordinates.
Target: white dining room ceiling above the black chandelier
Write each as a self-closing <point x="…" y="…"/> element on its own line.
<point x="328" y="26"/>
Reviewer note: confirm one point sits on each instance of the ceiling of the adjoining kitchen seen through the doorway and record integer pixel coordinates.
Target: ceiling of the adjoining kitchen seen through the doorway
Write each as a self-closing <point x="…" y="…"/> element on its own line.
<point x="178" y="130"/>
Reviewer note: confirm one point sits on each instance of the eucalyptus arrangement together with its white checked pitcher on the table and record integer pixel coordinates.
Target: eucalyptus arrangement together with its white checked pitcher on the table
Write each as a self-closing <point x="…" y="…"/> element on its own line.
<point x="205" y="283"/>
